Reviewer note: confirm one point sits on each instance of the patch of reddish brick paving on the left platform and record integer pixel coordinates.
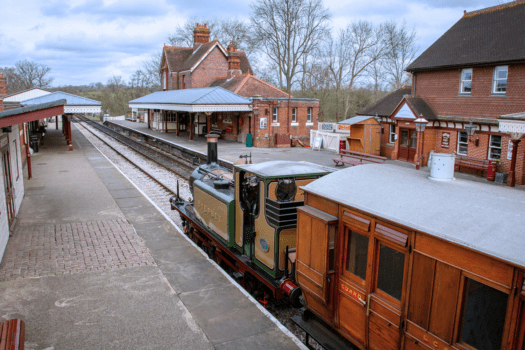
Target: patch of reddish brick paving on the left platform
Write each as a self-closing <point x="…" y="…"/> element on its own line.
<point x="46" y="250"/>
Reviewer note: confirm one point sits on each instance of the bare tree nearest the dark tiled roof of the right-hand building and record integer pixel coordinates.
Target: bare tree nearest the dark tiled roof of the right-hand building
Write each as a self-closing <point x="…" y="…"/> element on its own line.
<point x="401" y="50"/>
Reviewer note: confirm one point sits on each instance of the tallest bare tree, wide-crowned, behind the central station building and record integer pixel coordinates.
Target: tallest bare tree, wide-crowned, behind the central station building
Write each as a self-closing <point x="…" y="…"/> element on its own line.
<point x="287" y="30"/>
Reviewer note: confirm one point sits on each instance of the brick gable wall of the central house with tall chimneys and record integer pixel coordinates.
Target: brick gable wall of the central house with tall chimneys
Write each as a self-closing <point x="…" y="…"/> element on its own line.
<point x="214" y="67"/>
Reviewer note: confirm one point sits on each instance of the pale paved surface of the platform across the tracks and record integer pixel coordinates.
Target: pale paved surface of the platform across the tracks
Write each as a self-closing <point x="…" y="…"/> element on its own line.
<point x="230" y="151"/>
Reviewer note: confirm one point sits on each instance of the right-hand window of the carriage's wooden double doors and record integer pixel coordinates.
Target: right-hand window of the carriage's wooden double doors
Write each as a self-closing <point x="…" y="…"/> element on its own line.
<point x="391" y="271"/>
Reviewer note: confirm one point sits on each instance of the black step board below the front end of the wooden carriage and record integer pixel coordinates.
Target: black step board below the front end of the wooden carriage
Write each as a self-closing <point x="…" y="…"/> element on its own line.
<point x="318" y="331"/>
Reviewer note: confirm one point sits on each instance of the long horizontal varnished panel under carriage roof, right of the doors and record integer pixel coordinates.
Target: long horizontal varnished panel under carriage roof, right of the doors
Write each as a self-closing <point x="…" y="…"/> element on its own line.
<point x="465" y="259"/>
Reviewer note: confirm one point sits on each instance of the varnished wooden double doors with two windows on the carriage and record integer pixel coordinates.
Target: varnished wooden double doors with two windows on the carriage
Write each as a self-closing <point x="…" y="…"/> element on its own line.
<point x="372" y="277"/>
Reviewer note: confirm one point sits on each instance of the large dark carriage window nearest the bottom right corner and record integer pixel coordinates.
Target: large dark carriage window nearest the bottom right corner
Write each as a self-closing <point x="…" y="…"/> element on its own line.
<point x="483" y="316"/>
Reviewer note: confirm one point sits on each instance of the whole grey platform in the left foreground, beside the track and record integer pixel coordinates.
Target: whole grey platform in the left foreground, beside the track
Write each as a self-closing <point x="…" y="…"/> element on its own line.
<point x="92" y="264"/>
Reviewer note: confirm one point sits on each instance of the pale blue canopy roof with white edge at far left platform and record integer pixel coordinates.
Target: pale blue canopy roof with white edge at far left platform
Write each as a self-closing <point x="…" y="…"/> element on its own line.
<point x="74" y="103"/>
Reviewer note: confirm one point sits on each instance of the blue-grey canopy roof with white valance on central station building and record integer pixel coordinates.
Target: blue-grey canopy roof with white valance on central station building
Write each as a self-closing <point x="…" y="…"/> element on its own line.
<point x="209" y="99"/>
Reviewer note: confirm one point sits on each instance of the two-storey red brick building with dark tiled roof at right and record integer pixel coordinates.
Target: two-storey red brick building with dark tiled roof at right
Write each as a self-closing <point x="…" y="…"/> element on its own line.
<point x="474" y="73"/>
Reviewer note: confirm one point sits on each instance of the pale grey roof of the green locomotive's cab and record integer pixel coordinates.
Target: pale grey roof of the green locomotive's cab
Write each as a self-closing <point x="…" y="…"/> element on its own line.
<point x="279" y="168"/>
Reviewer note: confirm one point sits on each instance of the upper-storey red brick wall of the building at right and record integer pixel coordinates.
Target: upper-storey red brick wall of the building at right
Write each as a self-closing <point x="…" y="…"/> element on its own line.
<point x="441" y="90"/>
